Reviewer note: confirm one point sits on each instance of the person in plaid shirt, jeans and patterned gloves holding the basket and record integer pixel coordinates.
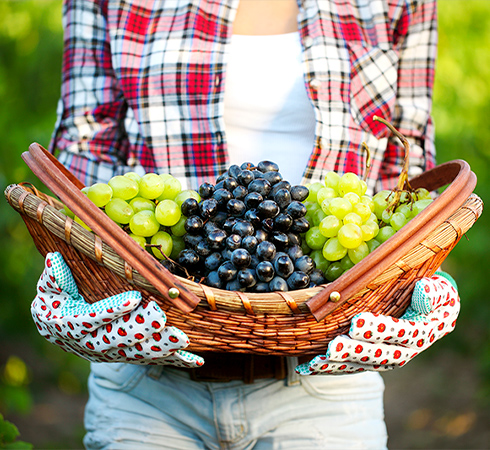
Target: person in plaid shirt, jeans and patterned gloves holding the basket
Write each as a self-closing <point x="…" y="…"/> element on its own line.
<point x="188" y="88"/>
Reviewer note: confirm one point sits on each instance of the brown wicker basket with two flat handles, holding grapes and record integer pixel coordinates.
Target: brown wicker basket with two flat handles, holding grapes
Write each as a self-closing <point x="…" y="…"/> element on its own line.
<point x="301" y="322"/>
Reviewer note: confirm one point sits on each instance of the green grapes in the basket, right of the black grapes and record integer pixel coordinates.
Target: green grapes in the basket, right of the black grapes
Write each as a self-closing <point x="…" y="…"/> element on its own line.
<point x="347" y="224"/>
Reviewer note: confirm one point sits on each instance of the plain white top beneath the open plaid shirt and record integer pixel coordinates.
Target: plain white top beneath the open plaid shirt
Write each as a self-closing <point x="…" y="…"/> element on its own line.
<point x="267" y="113"/>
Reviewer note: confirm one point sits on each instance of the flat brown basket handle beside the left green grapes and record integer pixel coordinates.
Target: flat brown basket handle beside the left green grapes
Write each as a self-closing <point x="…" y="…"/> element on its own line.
<point x="67" y="187"/>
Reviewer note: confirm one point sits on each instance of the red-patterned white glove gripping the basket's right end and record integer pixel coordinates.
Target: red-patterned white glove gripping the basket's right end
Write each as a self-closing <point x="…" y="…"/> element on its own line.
<point x="379" y="343"/>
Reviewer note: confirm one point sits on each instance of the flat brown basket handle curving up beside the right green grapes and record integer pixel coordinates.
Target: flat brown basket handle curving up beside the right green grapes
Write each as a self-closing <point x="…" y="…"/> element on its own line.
<point x="461" y="182"/>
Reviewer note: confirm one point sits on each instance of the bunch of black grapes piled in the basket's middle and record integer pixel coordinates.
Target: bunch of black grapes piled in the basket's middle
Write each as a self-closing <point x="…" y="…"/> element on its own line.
<point x="244" y="234"/>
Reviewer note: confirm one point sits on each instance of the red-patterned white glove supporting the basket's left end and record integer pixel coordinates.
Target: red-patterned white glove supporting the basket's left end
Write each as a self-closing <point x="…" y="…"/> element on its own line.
<point x="116" y="329"/>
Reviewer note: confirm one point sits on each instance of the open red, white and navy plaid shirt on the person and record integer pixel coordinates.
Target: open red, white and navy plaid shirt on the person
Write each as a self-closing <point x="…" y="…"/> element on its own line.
<point x="143" y="86"/>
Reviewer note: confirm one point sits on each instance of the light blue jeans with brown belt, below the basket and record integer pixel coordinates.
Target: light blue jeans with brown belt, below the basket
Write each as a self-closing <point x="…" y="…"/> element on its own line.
<point x="154" y="407"/>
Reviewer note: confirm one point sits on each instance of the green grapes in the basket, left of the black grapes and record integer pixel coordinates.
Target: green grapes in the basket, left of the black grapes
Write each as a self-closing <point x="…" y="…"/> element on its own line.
<point x="147" y="207"/>
